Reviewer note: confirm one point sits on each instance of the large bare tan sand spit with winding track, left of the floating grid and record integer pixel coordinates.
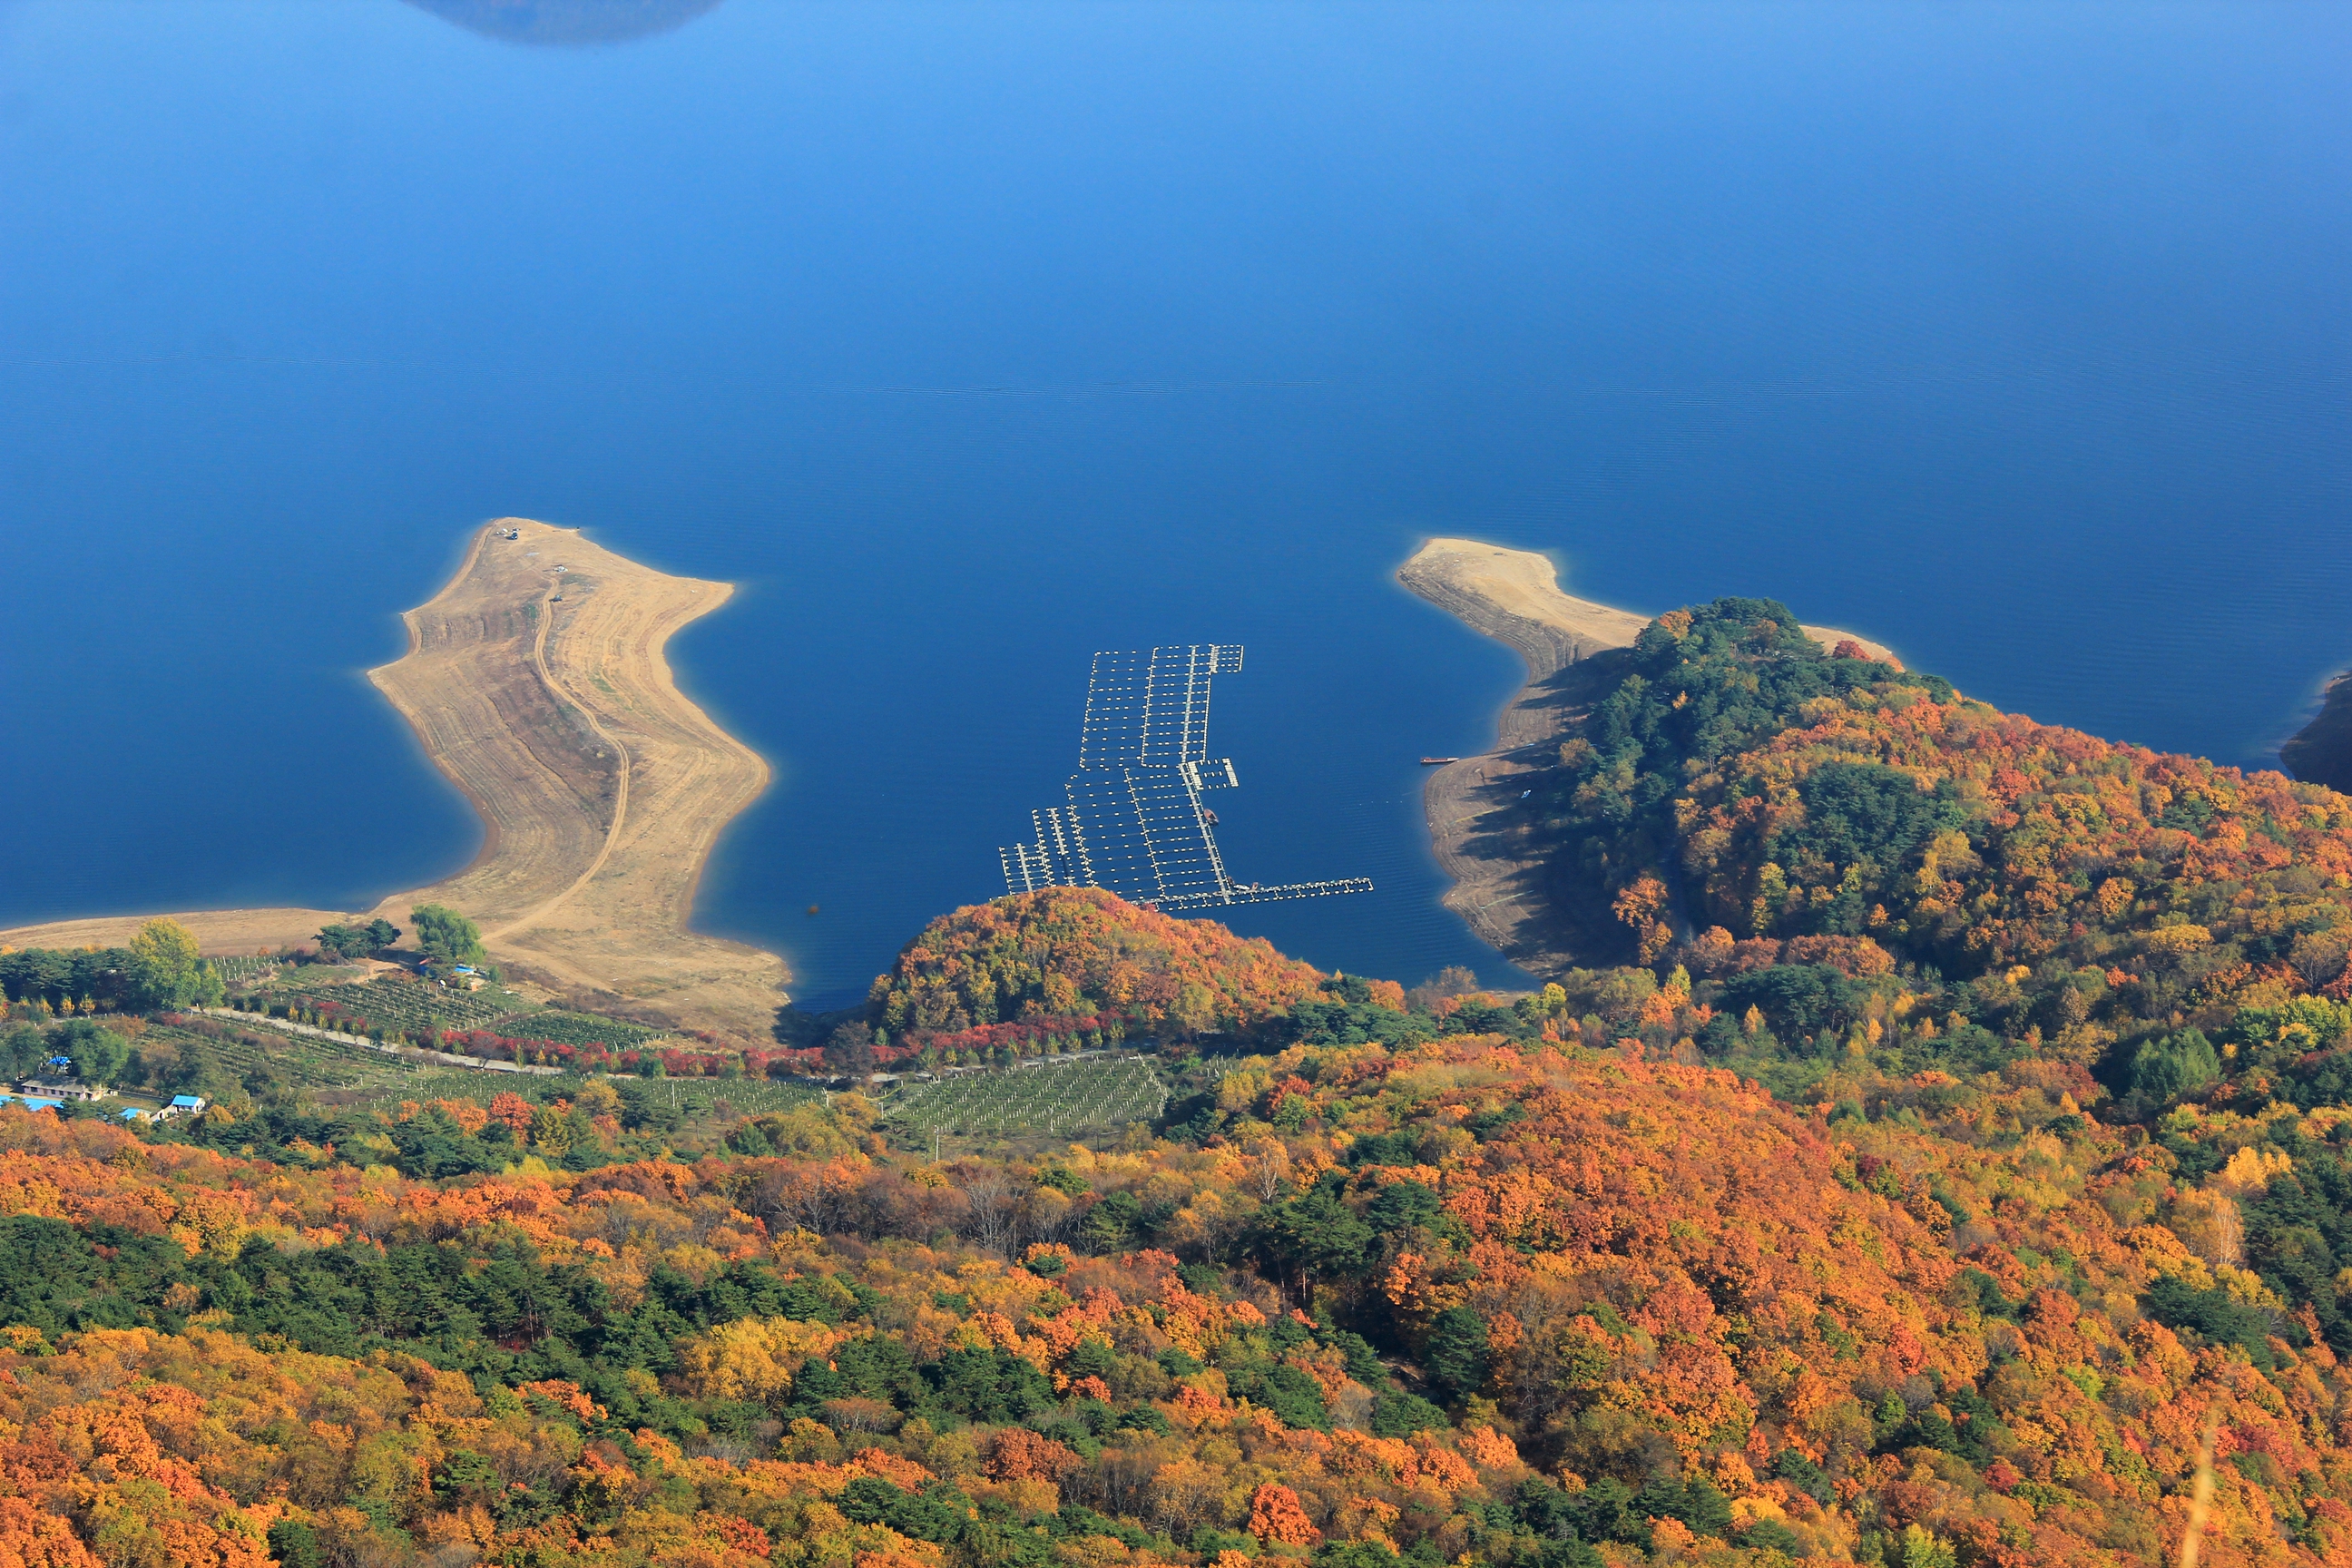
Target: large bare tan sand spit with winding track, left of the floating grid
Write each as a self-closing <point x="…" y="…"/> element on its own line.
<point x="549" y="702"/>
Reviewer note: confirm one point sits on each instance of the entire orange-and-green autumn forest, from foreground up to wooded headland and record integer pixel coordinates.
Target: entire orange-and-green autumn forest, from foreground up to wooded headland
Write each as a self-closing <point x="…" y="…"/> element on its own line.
<point x="1942" y="1158"/>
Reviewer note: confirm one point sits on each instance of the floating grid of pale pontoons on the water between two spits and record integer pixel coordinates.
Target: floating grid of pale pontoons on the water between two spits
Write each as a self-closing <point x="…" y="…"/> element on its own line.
<point x="1135" y="824"/>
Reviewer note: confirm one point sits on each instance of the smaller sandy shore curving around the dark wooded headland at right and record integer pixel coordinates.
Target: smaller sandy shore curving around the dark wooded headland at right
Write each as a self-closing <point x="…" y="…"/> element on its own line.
<point x="1483" y="840"/>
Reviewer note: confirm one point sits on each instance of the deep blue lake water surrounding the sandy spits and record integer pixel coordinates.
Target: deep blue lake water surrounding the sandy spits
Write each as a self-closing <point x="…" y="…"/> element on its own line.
<point x="973" y="340"/>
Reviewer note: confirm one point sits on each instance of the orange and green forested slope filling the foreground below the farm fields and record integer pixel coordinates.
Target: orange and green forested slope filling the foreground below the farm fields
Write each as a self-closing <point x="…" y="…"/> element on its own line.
<point x="1476" y="1296"/>
